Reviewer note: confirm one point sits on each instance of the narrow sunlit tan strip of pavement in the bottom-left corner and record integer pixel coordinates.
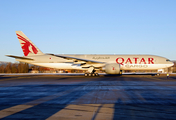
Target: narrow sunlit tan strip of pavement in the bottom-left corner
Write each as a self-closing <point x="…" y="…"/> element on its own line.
<point x="12" y="110"/>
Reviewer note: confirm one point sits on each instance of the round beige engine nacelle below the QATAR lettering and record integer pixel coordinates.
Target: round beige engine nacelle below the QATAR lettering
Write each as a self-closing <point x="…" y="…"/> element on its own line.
<point x="112" y="68"/>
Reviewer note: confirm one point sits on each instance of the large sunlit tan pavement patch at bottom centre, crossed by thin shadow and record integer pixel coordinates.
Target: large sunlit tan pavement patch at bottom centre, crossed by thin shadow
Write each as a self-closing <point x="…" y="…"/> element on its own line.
<point x="85" y="112"/>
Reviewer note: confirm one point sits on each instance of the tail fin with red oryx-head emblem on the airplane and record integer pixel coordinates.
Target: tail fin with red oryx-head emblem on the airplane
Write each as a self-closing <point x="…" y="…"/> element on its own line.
<point x="27" y="46"/>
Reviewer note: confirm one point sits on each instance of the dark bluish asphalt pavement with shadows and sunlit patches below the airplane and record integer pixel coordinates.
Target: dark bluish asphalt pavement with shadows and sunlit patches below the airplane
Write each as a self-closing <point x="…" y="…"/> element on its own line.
<point x="52" y="97"/>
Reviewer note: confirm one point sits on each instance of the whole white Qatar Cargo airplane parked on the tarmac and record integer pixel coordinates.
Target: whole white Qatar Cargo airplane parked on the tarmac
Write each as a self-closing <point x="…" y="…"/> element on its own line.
<point x="112" y="64"/>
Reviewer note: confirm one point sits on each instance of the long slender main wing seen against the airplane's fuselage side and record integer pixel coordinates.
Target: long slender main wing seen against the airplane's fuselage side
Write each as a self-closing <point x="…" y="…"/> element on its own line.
<point x="78" y="59"/>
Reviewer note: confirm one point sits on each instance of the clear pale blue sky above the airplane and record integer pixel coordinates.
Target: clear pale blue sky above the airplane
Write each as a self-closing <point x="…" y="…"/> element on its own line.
<point x="89" y="27"/>
